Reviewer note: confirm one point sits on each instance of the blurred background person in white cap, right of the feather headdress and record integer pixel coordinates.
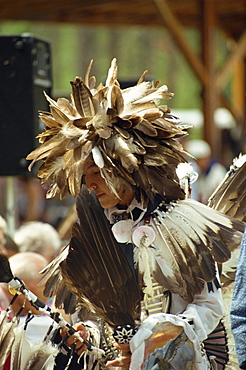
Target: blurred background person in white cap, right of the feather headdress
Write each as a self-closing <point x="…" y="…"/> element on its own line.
<point x="210" y="171"/>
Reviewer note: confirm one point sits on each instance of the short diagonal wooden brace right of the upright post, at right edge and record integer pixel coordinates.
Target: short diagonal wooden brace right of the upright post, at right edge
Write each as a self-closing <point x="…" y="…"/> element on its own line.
<point x="235" y="57"/>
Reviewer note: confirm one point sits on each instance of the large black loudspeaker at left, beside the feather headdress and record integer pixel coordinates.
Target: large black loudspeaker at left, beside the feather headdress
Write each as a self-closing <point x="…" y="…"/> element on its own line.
<point x="25" y="73"/>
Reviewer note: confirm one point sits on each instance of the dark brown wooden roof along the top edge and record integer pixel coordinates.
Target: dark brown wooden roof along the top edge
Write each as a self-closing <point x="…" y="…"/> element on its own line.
<point x="230" y="14"/>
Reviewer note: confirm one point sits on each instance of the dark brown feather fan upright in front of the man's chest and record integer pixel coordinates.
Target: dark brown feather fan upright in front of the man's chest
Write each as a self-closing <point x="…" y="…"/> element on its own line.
<point x="96" y="268"/>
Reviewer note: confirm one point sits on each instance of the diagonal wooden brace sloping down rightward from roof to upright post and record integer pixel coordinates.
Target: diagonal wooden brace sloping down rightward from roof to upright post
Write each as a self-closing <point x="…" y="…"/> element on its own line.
<point x="177" y="32"/>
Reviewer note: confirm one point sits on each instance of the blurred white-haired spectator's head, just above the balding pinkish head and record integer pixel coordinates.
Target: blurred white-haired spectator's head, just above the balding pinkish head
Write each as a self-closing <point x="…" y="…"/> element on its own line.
<point x="39" y="237"/>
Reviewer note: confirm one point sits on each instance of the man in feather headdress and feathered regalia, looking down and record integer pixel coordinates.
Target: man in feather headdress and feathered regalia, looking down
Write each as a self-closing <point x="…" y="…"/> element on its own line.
<point x="142" y="260"/>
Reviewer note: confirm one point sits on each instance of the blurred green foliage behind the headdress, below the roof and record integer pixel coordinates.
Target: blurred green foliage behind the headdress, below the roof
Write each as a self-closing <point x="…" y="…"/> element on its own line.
<point x="136" y="49"/>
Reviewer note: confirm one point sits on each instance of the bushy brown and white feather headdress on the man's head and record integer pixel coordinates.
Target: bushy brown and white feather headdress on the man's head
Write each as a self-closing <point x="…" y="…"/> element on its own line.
<point x="127" y="133"/>
